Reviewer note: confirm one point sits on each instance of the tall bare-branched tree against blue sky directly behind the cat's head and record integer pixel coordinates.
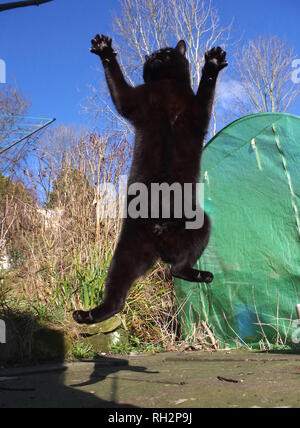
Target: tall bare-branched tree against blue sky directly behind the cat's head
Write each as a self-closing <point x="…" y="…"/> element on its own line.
<point x="147" y="25"/>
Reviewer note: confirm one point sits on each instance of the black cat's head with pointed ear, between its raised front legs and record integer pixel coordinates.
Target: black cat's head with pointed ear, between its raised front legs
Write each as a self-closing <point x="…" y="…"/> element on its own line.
<point x="167" y="63"/>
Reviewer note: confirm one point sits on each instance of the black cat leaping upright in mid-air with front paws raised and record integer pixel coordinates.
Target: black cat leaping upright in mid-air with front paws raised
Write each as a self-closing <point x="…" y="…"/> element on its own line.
<point x="170" y="126"/>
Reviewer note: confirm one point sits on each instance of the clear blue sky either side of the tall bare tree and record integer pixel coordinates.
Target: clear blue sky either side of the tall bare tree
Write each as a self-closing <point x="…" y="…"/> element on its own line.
<point x="46" y="49"/>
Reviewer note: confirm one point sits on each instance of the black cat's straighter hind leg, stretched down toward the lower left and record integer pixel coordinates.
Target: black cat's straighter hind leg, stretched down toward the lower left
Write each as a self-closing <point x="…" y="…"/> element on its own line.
<point x="134" y="256"/>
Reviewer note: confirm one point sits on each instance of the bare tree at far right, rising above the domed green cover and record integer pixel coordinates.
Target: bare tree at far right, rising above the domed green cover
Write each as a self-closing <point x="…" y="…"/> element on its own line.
<point x="264" y="68"/>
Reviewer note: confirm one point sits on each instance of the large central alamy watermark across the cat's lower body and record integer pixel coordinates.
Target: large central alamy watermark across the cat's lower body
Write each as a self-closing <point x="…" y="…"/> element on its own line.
<point x="155" y="201"/>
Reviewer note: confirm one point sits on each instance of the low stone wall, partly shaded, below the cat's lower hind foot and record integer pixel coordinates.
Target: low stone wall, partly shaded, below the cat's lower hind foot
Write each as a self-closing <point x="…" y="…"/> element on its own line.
<point x="30" y="341"/>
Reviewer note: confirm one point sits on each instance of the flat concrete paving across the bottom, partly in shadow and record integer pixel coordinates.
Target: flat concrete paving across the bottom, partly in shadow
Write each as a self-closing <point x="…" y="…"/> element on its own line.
<point x="187" y="380"/>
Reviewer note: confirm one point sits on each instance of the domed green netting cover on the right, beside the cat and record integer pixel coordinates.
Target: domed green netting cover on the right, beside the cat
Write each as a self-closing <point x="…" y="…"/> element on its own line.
<point x="251" y="176"/>
